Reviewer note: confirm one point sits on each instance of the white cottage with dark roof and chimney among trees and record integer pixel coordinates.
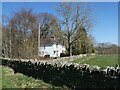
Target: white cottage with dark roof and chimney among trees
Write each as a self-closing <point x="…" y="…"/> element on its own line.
<point x="51" y="47"/>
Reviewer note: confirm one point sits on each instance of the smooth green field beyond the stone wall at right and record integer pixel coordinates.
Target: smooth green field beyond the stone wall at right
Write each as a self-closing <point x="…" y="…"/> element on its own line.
<point x="100" y="60"/>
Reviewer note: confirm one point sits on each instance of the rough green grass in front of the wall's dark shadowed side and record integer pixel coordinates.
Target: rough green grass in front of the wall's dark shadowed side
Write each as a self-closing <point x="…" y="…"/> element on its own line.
<point x="11" y="80"/>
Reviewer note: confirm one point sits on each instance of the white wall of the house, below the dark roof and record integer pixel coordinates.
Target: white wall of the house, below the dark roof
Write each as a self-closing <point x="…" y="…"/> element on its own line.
<point x="53" y="50"/>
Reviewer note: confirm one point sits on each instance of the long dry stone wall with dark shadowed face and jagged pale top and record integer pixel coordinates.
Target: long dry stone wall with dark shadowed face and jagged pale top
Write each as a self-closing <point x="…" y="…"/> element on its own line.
<point x="72" y="75"/>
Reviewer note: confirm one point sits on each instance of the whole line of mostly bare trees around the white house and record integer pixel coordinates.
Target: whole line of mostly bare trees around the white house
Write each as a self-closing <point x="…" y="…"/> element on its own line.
<point x="71" y="28"/>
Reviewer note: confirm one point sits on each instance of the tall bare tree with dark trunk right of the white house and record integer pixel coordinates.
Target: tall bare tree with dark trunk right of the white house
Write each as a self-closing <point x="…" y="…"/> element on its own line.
<point x="72" y="20"/>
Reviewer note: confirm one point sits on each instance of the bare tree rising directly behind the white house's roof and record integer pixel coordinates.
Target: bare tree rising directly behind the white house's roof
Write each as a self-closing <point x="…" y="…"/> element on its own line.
<point x="49" y="24"/>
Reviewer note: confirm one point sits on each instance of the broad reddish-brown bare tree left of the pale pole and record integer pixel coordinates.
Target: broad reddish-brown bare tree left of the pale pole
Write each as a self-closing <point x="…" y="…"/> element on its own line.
<point x="24" y="30"/>
